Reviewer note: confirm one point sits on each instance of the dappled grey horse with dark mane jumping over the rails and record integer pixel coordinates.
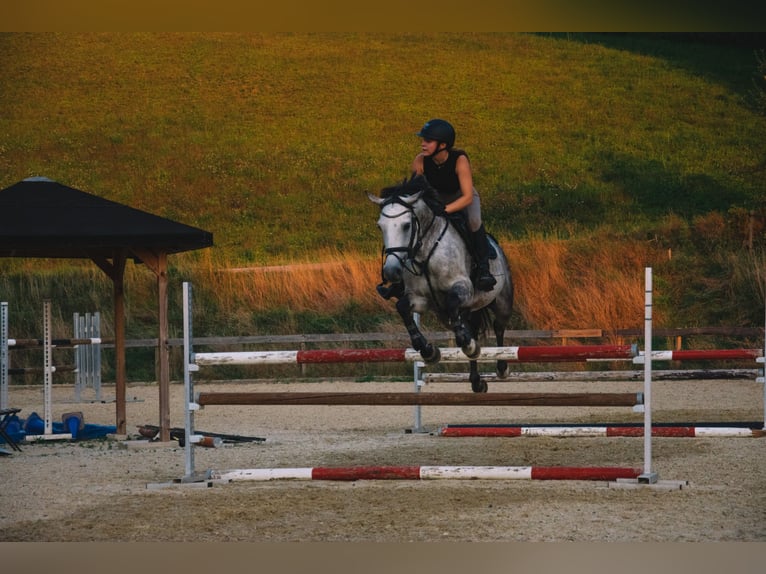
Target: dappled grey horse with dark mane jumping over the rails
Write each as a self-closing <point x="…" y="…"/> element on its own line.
<point x="427" y="261"/>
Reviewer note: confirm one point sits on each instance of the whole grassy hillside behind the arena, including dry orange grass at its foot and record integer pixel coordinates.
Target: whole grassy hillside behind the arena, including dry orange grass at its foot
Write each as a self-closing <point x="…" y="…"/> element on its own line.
<point x="594" y="154"/>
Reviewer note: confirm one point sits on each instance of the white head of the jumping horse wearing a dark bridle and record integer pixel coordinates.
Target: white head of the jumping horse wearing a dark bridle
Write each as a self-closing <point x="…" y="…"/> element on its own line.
<point x="399" y="223"/>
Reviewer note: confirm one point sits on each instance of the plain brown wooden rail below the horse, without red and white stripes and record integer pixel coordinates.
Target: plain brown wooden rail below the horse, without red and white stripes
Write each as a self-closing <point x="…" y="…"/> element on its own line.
<point x="443" y="399"/>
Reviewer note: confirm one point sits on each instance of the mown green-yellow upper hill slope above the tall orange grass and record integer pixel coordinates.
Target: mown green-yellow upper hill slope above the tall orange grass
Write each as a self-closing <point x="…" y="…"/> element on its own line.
<point x="270" y="140"/>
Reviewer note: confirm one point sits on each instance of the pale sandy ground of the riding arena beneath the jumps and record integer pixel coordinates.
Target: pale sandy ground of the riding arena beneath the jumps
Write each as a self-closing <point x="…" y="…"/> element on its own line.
<point x="103" y="490"/>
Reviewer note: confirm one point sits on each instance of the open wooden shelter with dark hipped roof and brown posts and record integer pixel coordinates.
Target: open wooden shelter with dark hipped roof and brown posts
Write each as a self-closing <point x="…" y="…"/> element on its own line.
<point x="43" y="218"/>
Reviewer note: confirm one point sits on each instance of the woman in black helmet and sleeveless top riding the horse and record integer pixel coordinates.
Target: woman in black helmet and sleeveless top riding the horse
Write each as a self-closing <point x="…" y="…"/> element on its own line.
<point x="448" y="170"/>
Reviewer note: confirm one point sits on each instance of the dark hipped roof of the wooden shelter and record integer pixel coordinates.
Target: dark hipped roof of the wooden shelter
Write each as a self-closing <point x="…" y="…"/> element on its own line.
<point x="43" y="218"/>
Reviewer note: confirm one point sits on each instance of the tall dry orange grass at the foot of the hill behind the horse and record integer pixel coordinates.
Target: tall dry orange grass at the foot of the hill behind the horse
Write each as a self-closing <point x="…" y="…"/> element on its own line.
<point x="559" y="284"/>
